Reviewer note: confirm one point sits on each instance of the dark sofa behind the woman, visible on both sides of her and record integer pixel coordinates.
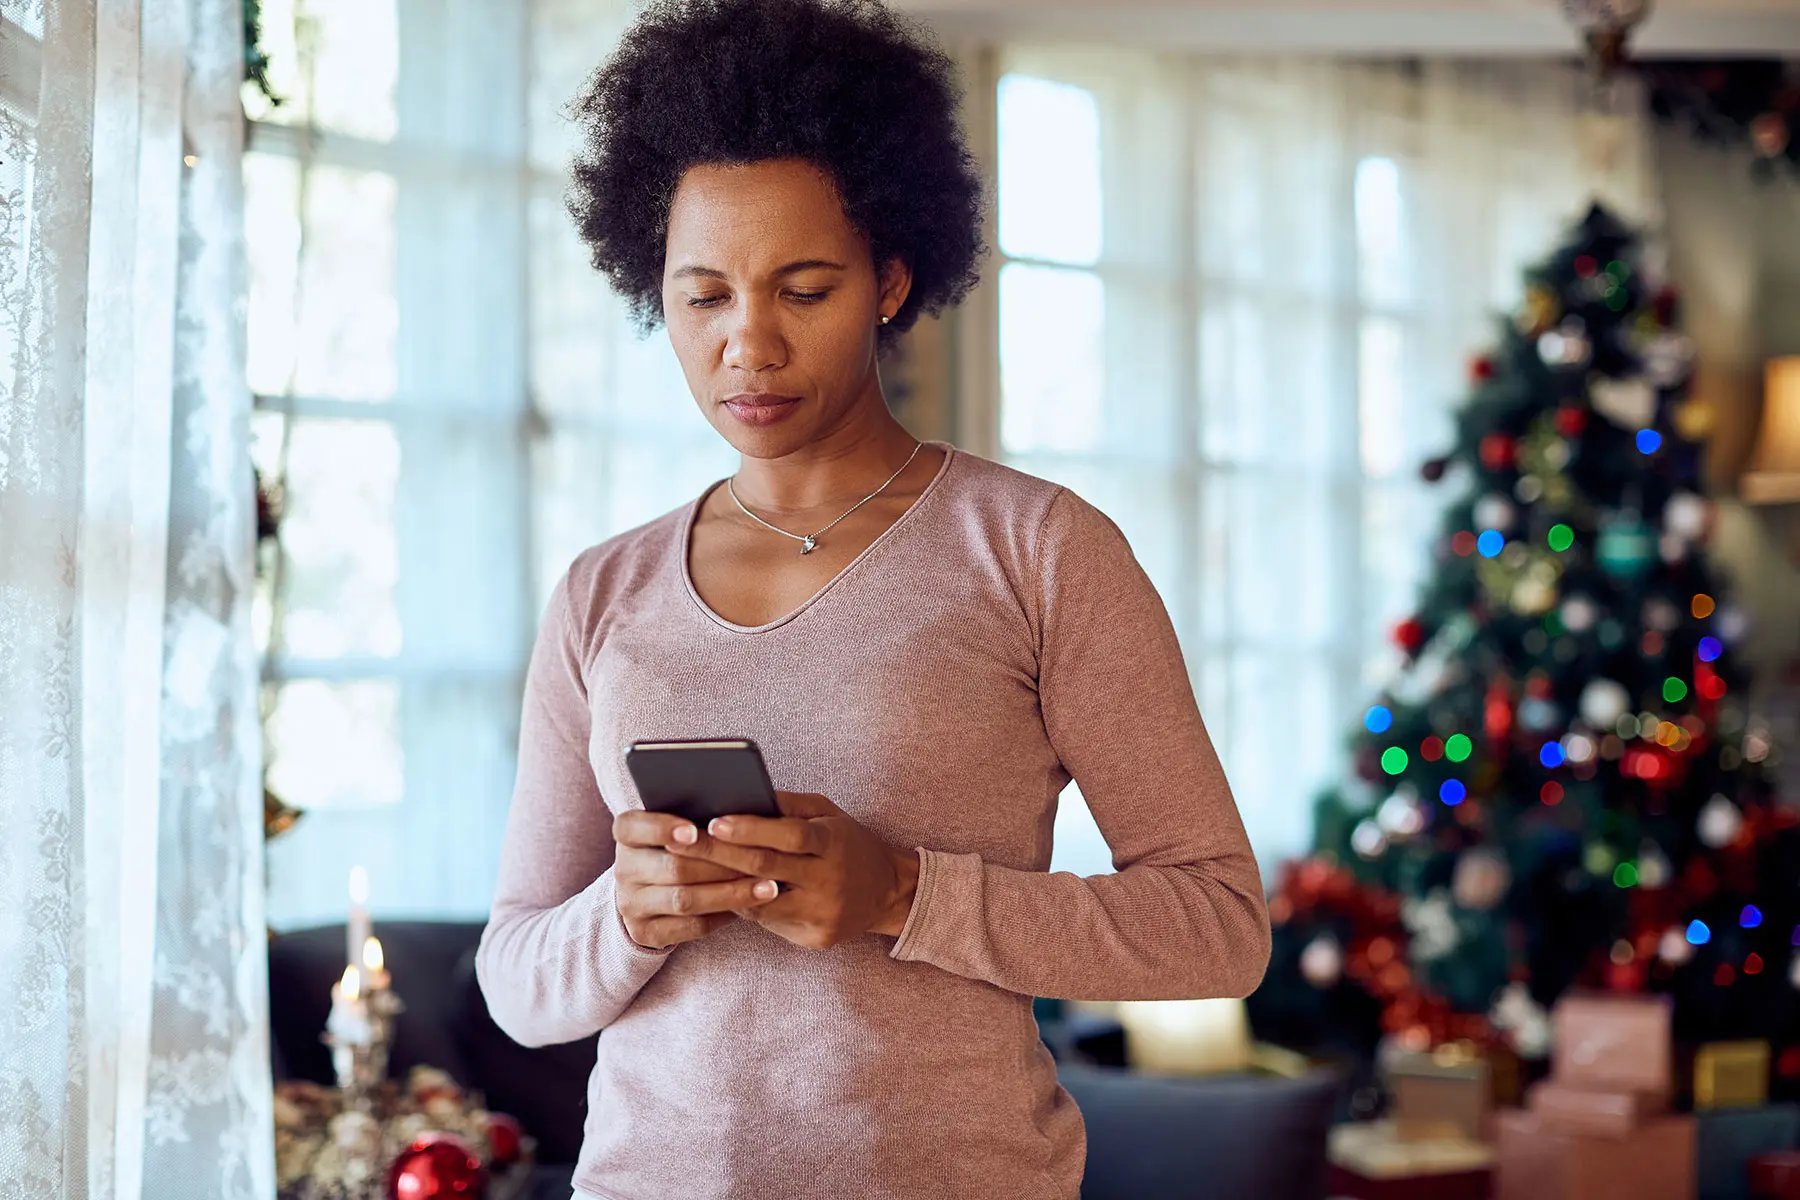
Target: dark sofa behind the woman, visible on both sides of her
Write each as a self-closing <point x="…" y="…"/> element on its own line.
<point x="1147" y="1140"/>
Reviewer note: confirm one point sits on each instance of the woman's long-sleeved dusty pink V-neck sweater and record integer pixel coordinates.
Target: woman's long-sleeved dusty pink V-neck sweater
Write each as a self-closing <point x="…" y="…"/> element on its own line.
<point x="942" y="690"/>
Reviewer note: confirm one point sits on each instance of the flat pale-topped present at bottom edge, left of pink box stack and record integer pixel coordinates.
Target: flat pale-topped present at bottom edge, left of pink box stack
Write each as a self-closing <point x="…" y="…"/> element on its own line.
<point x="1371" y="1161"/>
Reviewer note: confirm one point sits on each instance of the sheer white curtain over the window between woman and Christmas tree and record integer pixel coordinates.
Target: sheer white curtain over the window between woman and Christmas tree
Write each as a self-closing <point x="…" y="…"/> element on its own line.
<point x="1237" y="303"/>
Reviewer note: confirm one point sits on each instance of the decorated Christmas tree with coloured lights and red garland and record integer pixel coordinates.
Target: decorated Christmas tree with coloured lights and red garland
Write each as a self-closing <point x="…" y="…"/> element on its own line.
<point x="1565" y="785"/>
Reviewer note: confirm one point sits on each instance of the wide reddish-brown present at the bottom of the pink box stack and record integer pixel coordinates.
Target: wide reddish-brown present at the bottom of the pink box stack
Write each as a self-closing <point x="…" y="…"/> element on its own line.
<point x="1542" y="1163"/>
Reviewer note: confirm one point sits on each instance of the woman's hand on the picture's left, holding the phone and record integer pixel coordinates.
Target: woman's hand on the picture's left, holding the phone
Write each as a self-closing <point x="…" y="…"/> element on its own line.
<point x="669" y="900"/>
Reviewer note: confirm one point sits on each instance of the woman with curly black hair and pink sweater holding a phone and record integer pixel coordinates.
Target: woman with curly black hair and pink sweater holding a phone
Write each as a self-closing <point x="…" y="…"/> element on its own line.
<point x="926" y="645"/>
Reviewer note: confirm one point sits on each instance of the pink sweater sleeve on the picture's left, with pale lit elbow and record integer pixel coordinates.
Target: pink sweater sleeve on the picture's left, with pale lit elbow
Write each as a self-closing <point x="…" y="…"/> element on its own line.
<point x="555" y="962"/>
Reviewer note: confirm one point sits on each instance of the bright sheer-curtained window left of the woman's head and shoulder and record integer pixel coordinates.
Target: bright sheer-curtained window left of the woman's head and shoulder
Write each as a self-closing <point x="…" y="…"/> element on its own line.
<point x="454" y="406"/>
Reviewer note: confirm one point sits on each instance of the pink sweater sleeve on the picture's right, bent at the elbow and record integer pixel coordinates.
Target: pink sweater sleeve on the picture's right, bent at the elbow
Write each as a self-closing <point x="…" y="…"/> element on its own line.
<point x="1185" y="913"/>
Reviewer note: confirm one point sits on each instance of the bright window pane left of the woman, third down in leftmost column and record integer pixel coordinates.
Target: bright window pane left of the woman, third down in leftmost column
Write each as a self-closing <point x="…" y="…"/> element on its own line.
<point x="337" y="535"/>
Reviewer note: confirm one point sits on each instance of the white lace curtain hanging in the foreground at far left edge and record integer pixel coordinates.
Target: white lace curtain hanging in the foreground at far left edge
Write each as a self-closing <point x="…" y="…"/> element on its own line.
<point x="132" y="938"/>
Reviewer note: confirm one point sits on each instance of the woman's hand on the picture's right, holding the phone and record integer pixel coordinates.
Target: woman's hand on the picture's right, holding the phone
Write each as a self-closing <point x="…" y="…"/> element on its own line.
<point x="841" y="879"/>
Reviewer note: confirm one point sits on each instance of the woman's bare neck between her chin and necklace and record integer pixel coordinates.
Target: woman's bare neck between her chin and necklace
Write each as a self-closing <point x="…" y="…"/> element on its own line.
<point x="829" y="472"/>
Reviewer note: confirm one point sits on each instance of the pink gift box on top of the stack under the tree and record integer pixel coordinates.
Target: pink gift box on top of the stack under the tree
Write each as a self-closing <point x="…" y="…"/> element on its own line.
<point x="1614" y="1043"/>
